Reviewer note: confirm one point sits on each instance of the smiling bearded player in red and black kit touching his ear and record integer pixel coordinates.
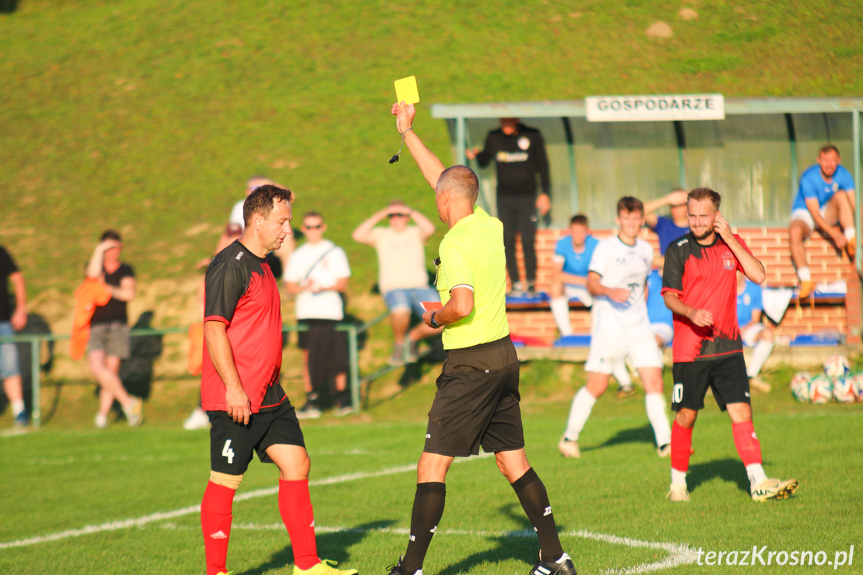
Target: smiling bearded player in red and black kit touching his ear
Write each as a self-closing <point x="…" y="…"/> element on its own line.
<point x="700" y="287"/>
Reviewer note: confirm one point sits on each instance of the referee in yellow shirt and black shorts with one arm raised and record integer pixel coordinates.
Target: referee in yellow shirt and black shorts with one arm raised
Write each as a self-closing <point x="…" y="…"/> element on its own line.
<point x="477" y="400"/>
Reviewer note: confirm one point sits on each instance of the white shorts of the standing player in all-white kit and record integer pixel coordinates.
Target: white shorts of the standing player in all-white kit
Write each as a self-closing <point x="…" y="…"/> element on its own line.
<point x="609" y="347"/>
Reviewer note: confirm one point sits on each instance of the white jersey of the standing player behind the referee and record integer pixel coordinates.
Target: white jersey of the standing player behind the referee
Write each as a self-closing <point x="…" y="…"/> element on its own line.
<point x="621" y="266"/>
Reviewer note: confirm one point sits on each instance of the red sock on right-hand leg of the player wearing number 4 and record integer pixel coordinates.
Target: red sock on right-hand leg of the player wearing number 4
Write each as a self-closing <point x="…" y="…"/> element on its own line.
<point x="295" y="507"/>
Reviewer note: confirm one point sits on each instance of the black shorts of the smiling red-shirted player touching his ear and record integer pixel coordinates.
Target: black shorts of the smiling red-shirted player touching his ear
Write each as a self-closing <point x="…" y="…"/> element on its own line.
<point x="725" y="375"/>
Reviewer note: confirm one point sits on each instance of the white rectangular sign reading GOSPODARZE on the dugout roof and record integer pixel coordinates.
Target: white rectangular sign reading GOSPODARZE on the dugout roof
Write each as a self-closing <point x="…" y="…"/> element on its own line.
<point x="663" y="107"/>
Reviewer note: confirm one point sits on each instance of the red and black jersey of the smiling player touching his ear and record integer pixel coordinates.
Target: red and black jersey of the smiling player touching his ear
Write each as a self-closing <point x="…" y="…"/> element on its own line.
<point x="704" y="277"/>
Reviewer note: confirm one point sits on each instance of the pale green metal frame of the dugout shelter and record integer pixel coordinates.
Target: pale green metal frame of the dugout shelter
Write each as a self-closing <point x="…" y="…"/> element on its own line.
<point x="457" y="116"/>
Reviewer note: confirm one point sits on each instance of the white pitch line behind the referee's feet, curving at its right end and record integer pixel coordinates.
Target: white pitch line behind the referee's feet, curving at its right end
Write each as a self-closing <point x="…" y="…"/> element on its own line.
<point x="677" y="554"/>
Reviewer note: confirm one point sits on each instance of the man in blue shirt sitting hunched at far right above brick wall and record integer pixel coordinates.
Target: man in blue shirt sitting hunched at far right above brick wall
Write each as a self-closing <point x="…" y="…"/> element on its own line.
<point x="825" y="198"/>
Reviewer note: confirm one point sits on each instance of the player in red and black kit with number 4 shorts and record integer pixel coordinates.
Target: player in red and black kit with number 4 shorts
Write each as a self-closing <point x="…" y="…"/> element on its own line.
<point x="240" y="388"/>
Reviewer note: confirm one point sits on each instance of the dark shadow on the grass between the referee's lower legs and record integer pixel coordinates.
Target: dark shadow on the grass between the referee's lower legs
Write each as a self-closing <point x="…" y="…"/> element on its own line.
<point x="506" y="547"/>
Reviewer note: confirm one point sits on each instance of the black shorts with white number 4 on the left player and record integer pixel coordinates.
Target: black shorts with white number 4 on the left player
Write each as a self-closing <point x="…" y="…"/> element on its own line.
<point x="232" y="444"/>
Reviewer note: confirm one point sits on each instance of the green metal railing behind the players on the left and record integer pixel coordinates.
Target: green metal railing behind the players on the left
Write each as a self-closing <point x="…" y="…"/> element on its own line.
<point x="36" y="340"/>
